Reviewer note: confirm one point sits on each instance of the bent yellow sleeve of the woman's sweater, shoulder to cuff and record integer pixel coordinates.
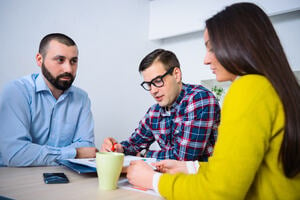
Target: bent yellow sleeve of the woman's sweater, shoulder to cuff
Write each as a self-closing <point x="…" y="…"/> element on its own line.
<point x="243" y="139"/>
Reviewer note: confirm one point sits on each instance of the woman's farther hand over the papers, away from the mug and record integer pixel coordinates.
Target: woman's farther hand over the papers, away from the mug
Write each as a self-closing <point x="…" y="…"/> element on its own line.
<point x="171" y="166"/>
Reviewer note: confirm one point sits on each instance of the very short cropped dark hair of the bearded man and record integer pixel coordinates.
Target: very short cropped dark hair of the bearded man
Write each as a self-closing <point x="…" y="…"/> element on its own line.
<point x="54" y="36"/>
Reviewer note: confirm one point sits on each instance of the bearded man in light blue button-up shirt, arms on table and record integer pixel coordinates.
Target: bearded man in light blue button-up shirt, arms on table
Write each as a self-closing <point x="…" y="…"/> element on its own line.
<point x="43" y="118"/>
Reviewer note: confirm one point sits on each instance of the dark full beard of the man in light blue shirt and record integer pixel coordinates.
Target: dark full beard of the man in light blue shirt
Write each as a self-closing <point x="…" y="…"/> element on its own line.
<point x="56" y="82"/>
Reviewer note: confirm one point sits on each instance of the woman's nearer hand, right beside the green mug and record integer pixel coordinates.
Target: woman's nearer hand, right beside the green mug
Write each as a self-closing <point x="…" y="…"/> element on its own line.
<point x="140" y="174"/>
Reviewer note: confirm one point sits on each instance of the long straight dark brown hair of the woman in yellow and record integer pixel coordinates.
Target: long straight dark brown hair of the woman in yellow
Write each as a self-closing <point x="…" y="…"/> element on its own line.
<point x="245" y="42"/>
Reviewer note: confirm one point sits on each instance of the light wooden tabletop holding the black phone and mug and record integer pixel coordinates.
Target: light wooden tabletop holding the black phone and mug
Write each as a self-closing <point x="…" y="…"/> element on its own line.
<point x="27" y="183"/>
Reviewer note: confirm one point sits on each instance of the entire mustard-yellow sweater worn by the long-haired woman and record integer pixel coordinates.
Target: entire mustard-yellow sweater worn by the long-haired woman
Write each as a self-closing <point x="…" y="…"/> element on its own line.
<point x="245" y="161"/>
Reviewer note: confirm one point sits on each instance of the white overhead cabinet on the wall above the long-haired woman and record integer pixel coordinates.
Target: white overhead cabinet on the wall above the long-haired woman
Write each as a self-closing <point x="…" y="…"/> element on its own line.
<point x="189" y="16"/>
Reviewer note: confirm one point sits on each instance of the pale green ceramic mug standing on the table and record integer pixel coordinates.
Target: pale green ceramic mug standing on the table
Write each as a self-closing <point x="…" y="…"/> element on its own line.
<point x="109" y="167"/>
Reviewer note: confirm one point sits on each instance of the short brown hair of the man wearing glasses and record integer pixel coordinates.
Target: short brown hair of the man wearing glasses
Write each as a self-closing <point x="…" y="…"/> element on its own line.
<point x="167" y="58"/>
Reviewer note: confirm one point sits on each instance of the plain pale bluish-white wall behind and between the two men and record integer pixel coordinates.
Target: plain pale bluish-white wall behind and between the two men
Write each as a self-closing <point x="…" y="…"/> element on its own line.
<point x="112" y="40"/>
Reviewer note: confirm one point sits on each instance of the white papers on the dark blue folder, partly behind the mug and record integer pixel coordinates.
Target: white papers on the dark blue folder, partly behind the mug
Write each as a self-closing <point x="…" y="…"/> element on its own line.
<point x="91" y="162"/>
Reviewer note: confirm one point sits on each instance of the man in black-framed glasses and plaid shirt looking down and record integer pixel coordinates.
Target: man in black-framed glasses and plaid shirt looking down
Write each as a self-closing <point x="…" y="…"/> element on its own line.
<point x="183" y="122"/>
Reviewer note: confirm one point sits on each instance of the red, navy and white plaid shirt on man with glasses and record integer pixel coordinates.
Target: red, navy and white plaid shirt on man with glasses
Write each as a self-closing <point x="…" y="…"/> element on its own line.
<point x="188" y="131"/>
